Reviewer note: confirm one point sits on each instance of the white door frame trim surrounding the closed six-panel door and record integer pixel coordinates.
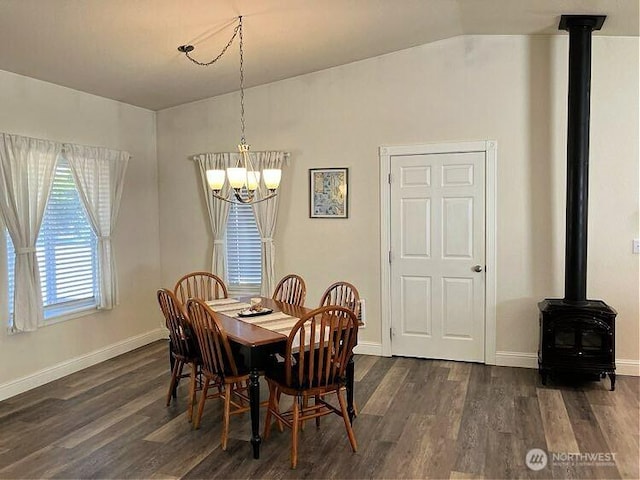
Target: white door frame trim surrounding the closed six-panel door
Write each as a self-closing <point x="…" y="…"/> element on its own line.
<point x="490" y="149"/>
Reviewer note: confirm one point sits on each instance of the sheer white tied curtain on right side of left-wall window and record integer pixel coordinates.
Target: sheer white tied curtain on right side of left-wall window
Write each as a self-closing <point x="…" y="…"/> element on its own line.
<point x="99" y="175"/>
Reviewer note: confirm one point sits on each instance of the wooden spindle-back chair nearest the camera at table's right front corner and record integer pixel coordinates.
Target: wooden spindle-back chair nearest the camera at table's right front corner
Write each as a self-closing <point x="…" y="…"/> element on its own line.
<point x="327" y="336"/>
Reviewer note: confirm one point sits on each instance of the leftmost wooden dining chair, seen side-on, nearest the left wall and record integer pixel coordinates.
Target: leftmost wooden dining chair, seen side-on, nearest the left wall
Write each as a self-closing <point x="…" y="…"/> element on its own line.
<point x="183" y="346"/>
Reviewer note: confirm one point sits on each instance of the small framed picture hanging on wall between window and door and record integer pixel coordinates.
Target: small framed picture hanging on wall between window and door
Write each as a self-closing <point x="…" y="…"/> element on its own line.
<point x="328" y="194"/>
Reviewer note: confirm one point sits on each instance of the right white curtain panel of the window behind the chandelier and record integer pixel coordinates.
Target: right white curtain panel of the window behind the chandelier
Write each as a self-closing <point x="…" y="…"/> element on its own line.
<point x="266" y="214"/>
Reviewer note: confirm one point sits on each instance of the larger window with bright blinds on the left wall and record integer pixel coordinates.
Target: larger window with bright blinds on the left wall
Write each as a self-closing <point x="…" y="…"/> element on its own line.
<point x="66" y="250"/>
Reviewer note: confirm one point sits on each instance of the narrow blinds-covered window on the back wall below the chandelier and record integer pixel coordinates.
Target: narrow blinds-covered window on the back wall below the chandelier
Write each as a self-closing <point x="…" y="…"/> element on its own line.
<point x="244" y="254"/>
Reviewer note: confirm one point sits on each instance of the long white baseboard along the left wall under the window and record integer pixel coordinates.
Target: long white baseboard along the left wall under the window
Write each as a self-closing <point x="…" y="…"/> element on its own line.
<point x="28" y="382"/>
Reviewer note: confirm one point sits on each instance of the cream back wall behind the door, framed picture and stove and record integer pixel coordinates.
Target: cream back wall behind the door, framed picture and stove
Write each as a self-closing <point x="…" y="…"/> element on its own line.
<point x="508" y="88"/>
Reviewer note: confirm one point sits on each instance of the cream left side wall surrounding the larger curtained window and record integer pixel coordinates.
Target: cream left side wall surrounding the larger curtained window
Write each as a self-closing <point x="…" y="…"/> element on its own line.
<point x="43" y="110"/>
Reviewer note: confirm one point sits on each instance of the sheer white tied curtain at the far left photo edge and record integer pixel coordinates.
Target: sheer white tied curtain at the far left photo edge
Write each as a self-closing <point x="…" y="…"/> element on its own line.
<point x="27" y="166"/>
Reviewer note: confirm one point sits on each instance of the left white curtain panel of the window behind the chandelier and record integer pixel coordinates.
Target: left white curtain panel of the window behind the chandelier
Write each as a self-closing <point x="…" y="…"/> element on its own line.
<point x="218" y="209"/>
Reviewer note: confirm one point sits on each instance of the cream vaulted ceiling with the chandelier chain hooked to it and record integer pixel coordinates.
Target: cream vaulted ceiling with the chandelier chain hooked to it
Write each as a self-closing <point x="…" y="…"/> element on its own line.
<point x="126" y="50"/>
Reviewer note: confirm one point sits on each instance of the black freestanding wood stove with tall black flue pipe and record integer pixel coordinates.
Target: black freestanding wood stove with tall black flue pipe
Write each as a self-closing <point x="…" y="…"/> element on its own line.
<point x="577" y="336"/>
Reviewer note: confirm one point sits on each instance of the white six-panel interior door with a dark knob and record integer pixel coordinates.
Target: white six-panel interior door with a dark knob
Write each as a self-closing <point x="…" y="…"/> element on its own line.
<point x="438" y="255"/>
